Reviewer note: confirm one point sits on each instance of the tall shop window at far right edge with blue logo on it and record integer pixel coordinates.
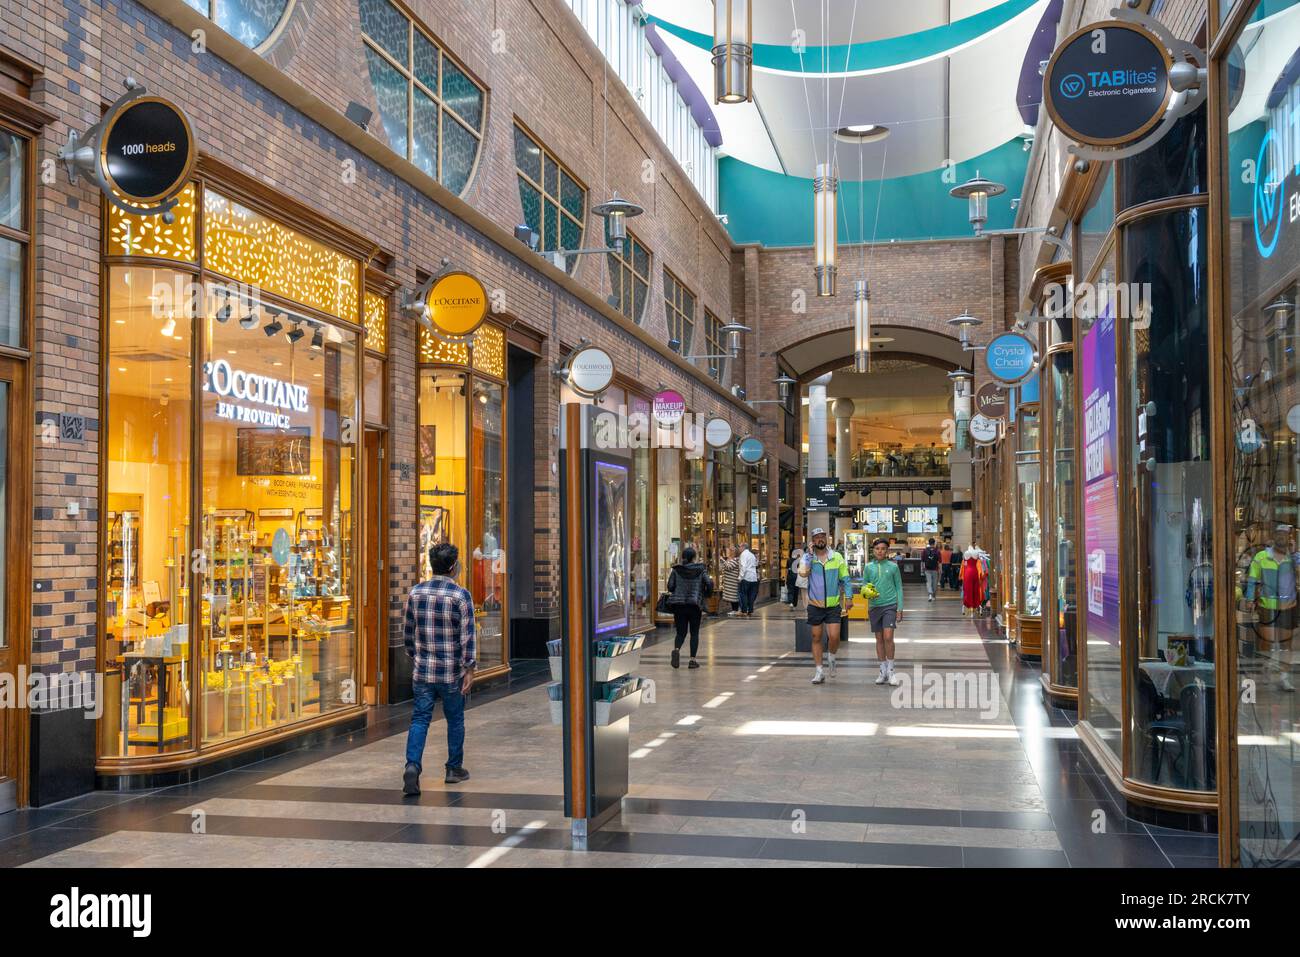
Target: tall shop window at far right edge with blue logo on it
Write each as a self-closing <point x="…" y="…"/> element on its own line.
<point x="1262" y="328"/>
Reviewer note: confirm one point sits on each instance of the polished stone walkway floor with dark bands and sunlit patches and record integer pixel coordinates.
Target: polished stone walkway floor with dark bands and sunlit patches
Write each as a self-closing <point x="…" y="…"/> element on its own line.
<point x="743" y="763"/>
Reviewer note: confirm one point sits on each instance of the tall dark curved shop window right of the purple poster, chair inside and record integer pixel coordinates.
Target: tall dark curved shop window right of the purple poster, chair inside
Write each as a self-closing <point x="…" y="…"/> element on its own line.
<point x="1172" y="652"/>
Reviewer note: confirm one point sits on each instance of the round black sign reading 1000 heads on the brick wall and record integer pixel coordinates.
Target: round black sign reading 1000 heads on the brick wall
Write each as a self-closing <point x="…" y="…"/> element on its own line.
<point x="148" y="151"/>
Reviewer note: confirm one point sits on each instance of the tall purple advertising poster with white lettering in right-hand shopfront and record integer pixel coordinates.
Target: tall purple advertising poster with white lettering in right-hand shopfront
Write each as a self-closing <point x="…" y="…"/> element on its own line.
<point x="1100" y="482"/>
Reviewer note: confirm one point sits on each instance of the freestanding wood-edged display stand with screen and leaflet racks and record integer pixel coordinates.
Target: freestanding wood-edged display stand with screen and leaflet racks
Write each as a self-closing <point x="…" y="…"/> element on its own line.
<point x="595" y="577"/>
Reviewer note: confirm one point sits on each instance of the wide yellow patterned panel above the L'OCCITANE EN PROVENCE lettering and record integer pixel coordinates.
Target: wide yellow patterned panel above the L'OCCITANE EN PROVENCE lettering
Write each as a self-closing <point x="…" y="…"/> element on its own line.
<point x="250" y="248"/>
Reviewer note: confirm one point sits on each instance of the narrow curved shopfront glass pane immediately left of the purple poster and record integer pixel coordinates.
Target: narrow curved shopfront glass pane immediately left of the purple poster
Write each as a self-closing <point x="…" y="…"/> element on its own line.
<point x="1065" y="668"/>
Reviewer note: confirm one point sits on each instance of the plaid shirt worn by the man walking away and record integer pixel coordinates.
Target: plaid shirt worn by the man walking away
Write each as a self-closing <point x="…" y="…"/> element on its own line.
<point x="440" y="631"/>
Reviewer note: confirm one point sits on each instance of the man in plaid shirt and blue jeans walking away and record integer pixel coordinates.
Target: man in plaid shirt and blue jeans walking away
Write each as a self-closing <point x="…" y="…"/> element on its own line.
<point x="440" y="638"/>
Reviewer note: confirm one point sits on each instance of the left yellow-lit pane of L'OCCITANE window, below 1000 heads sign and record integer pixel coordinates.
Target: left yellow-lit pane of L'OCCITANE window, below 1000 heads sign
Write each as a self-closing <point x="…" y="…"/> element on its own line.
<point x="146" y="527"/>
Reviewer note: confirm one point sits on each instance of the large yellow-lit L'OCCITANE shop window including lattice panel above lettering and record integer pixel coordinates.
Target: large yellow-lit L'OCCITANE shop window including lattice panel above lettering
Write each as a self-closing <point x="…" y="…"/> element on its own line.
<point x="267" y="636"/>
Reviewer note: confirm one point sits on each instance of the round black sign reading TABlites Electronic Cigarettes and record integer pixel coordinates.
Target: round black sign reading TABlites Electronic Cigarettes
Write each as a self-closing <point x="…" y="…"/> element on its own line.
<point x="1108" y="98"/>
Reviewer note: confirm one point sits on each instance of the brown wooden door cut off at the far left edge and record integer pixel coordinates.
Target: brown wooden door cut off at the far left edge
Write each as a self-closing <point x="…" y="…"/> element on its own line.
<point x="15" y="508"/>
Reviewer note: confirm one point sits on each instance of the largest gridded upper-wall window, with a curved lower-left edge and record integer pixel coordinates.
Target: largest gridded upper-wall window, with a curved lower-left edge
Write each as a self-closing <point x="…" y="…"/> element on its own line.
<point x="431" y="109"/>
